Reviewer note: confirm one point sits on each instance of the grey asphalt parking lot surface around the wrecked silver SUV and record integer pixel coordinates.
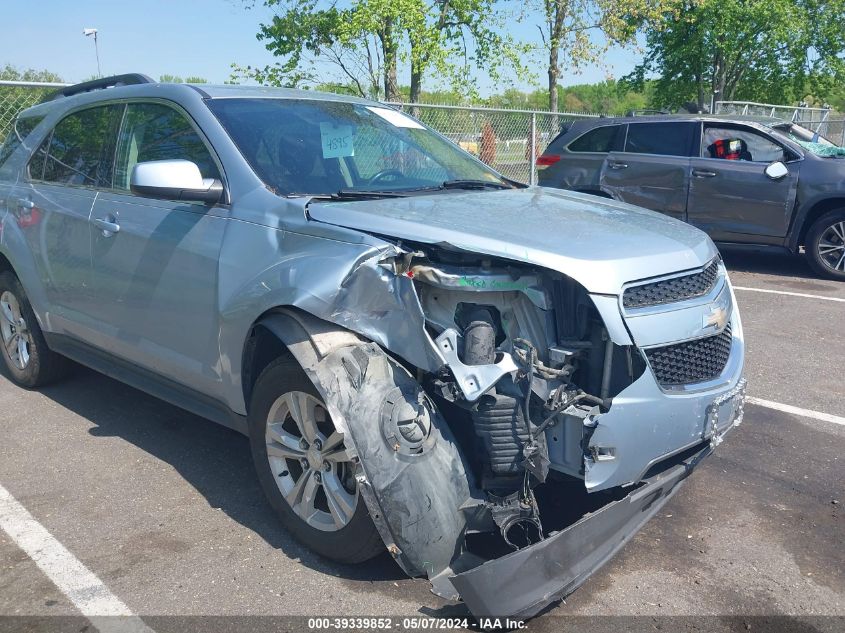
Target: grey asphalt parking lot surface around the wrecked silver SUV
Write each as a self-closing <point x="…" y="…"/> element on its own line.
<point x="164" y="507"/>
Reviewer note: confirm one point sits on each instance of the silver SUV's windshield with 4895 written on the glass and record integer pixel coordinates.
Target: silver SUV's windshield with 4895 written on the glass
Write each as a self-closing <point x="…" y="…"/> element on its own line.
<point x="325" y="147"/>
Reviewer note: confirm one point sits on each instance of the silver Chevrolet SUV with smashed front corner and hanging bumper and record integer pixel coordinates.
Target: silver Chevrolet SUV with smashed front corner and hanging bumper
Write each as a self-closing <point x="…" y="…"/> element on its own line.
<point x="484" y="378"/>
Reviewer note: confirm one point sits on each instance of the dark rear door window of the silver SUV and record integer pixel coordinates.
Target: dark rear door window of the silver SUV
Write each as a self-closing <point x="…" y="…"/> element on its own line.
<point x="80" y="149"/>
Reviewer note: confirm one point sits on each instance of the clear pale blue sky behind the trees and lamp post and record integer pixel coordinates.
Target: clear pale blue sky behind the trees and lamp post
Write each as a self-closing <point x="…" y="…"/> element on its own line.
<point x="179" y="37"/>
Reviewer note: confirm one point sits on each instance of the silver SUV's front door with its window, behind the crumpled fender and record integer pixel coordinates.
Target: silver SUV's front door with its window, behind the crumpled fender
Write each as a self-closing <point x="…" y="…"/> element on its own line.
<point x="155" y="262"/>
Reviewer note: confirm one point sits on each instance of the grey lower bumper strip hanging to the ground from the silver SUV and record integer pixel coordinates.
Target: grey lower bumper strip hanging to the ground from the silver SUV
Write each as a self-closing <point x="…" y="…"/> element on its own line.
<point x="521" y="584"/>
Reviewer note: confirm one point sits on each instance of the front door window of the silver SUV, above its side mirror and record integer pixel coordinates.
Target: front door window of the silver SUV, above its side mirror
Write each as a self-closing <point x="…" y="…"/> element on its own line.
<point x="152" y="131"/>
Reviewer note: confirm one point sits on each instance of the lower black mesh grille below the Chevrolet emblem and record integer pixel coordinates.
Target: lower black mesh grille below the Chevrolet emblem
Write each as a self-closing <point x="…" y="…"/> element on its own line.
<point x="692" y="361"/>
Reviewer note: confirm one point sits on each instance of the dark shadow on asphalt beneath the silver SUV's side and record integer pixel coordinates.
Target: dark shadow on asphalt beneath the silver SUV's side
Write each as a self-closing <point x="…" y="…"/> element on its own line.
<point x="214" y="460"/>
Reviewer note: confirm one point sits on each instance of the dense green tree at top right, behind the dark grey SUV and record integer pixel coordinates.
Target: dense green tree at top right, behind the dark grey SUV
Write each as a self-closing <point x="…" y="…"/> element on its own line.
<point x="760" y="50"/>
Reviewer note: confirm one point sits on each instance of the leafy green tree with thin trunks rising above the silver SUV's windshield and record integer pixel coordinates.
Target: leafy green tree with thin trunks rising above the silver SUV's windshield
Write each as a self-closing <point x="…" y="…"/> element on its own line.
<point x="367" y="40"/>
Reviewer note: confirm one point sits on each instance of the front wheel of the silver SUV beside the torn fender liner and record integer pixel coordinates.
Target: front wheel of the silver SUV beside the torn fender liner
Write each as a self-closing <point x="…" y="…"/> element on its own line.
<point x="303" y="467"/>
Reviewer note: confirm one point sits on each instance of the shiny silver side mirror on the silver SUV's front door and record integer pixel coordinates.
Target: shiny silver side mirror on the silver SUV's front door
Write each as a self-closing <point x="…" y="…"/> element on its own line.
<point x="174" y="180"/>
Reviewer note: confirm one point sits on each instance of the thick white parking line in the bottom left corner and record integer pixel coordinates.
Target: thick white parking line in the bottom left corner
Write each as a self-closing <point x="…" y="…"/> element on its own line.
<point x="77" y="582"/>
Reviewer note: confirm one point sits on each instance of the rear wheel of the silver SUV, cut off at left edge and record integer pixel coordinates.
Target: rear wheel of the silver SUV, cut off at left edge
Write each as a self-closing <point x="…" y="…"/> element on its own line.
<point x="30" y="362"/>
